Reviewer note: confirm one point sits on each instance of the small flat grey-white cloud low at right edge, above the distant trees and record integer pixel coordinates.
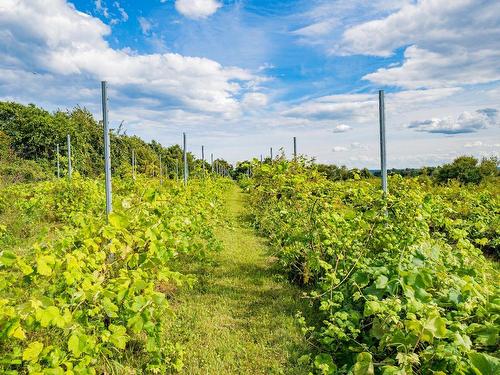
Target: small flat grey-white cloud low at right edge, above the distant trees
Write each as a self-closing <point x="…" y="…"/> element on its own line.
<point x="466" y="122"/>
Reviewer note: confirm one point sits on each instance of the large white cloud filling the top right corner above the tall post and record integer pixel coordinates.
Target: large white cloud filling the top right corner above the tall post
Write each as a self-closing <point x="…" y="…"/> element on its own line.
<point x="449" y="43"/>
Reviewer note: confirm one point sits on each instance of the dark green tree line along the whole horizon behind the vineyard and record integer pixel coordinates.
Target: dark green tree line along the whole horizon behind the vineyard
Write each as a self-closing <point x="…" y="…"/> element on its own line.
<point x="29" y="136"/>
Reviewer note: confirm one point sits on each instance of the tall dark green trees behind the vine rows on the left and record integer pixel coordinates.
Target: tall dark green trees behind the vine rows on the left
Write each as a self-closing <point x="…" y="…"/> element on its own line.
<point x="32" y="133"/>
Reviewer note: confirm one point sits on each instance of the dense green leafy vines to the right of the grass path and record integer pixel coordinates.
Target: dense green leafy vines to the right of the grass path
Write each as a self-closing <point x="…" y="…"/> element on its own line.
<point x="398" y="283"/>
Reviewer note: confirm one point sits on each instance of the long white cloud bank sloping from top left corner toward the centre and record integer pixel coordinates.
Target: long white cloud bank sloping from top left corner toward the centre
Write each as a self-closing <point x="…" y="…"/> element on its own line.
<point x="52" y="37"/>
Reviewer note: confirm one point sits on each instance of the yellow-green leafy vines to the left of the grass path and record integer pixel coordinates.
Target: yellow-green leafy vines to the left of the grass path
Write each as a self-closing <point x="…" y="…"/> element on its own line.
<point x="86" y="300"/>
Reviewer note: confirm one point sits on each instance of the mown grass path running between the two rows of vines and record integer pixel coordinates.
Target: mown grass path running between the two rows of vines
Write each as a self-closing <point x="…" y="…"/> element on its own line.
<point x="240" y="318"/>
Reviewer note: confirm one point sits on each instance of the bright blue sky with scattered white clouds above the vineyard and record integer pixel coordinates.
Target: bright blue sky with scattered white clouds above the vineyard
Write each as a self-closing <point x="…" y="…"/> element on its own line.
<point x="241" y="76"/>
